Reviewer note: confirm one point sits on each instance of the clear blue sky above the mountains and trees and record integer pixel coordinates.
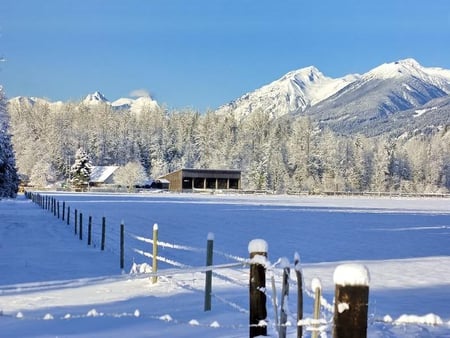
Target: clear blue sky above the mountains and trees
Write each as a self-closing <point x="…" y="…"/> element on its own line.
<point x="201" y="54"/>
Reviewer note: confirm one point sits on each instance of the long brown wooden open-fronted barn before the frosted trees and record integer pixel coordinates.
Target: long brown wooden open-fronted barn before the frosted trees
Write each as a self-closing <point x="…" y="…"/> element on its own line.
<point x="202" y="179"/>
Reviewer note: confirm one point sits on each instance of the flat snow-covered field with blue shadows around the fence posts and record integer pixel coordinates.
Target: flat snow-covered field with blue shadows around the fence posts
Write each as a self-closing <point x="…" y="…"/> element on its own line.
<point x="52" y="284"/>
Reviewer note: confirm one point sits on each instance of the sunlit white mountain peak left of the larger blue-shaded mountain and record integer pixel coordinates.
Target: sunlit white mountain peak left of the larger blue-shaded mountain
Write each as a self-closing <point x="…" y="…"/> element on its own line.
<point x="294" y="92"/>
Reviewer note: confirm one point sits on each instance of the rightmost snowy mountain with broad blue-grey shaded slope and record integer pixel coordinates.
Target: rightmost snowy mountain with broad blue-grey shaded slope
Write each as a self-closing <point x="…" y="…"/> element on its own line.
<point x="379" y="95"/>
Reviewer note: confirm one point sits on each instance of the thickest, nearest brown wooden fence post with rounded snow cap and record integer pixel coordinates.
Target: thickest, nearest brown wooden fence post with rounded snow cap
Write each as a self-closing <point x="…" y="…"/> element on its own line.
<point x="351" y="301"/>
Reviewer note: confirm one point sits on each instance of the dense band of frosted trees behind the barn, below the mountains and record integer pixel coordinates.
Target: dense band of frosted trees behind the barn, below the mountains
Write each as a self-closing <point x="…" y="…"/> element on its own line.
<point x="280" y="155"/>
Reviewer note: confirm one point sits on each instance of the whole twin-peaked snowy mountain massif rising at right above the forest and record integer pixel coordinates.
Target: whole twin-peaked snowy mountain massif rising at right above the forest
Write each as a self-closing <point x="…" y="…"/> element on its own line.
<point x="369" y="103"/>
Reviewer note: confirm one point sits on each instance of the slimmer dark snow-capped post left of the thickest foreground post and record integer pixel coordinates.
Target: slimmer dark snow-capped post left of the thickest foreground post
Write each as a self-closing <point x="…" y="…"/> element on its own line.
<point x="257" y="249"/>
